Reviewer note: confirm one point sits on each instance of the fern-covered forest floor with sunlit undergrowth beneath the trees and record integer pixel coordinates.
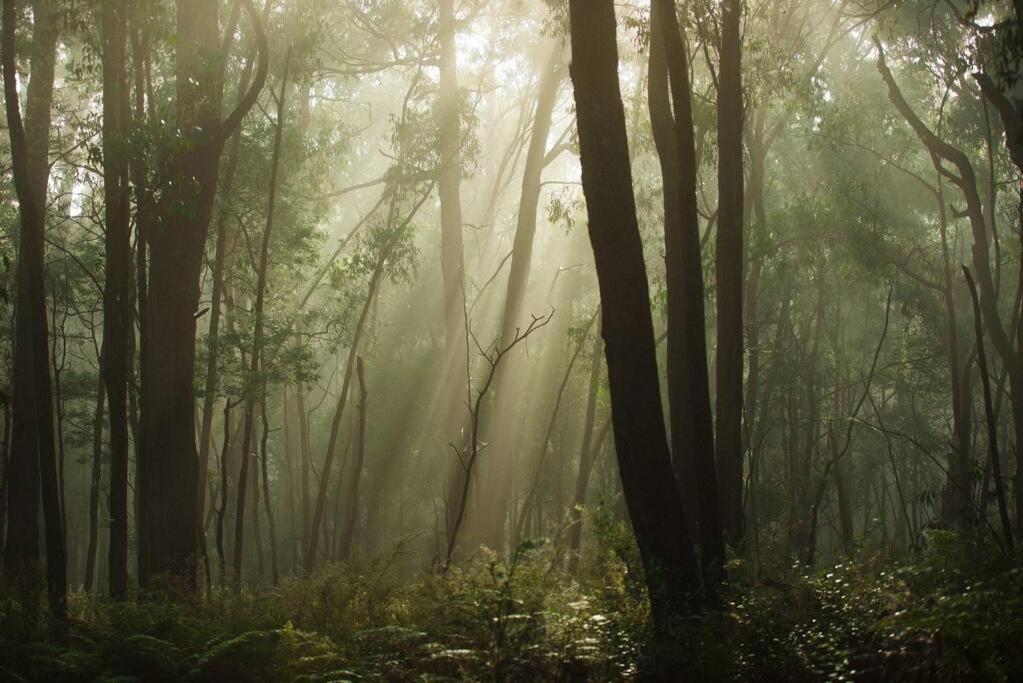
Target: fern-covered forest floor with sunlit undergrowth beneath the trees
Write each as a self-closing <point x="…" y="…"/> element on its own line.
<point x="953" y="612"/>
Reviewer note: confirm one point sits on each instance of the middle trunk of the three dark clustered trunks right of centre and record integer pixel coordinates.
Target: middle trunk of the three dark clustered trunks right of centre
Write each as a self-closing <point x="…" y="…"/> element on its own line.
<point x="689" y="386"/>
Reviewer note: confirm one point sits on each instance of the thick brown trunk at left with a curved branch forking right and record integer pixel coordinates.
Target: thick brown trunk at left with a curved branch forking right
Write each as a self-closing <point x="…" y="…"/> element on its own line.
<point x="169" y="520"/>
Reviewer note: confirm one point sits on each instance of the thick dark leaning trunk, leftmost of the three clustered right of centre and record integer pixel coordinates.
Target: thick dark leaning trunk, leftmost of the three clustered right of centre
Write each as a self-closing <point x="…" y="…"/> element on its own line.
<point x="645" y="461"/>
